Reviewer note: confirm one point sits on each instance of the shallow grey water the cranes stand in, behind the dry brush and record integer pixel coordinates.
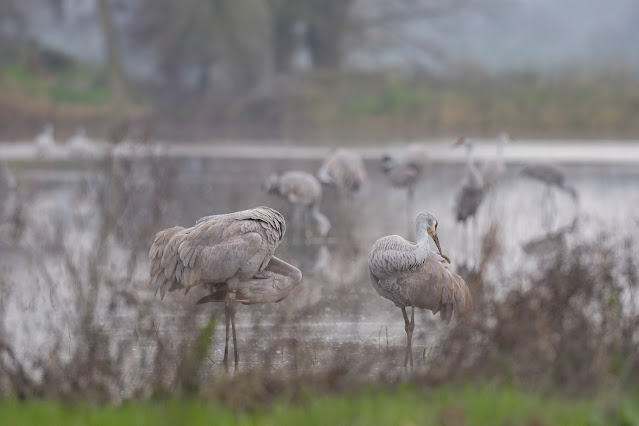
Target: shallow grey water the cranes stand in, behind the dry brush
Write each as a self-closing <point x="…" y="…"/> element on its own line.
<point x="334" y="314"/>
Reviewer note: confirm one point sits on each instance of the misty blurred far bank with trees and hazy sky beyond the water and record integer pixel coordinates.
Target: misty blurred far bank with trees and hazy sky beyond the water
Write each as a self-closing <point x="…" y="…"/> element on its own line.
<point x="355" y="69"/>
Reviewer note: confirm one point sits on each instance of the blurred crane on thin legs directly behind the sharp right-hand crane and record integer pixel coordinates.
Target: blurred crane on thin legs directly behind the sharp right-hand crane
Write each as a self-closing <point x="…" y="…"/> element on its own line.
<point x="404" y="169"/>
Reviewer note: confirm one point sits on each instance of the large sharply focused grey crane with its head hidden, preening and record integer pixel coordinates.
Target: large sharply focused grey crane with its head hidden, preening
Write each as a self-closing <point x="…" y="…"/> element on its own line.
<point x="232" y="255"/>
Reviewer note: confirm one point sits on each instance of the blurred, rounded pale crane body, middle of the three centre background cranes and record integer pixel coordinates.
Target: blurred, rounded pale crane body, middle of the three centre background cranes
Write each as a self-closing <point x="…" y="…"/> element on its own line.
<point x="344" y="169"/>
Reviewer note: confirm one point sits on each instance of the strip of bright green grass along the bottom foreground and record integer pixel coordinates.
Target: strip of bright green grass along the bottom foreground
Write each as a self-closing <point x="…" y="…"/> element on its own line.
<point x="406" y="406"/>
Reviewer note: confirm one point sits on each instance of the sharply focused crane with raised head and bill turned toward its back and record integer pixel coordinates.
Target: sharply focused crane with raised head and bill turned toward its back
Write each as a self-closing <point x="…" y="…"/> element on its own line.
<point x="413" y="275"/>
